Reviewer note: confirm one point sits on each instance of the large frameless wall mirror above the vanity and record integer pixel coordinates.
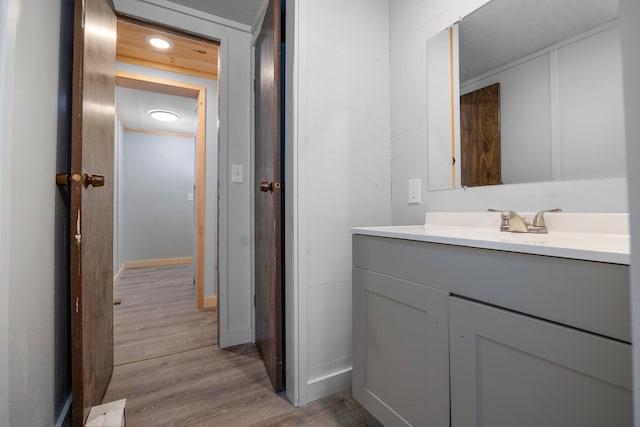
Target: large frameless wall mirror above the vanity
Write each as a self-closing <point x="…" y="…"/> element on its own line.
<point x="526" y="91"/>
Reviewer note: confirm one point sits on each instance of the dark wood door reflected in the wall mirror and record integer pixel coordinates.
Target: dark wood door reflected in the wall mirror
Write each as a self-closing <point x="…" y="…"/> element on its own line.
<point x="480" y="137"/>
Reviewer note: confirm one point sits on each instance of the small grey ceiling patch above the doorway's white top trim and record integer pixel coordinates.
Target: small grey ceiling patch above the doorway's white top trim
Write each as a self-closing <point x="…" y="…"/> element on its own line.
<point x="244" y="11"/>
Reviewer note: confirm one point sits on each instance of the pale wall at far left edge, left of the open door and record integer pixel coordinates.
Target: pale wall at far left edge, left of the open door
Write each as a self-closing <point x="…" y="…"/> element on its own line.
<point x="29" y="38"/>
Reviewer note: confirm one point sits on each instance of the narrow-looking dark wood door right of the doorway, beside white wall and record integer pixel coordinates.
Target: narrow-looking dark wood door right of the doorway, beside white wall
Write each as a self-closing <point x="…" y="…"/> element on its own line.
<point x="268" y="197"/>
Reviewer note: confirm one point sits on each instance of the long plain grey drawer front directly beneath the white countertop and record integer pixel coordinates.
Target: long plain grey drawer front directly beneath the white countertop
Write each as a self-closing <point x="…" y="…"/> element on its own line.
<point x="586" y="295"/>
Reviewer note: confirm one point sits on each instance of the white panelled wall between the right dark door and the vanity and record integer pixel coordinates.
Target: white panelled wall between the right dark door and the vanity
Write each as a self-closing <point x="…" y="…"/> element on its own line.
<point x="338" y="176"/>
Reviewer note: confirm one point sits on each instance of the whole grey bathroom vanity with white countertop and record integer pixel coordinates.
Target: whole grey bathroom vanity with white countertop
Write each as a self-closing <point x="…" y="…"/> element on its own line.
<point x="456" y="323"/>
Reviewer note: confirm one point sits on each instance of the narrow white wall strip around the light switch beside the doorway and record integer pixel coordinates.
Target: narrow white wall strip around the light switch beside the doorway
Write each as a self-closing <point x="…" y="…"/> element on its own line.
<point x="234" y="202"/>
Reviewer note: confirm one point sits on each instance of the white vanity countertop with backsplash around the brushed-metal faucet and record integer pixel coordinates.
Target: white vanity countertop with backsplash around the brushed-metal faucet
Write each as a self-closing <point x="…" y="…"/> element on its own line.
<point x="591" y="237"/>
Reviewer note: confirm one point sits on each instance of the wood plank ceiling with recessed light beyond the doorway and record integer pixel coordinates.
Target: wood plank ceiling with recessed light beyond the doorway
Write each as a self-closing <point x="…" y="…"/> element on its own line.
<point x="190" y="56"/>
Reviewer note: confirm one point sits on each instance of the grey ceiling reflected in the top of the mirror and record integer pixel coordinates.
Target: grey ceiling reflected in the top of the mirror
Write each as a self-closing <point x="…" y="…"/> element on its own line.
<point x="504" y="30"/>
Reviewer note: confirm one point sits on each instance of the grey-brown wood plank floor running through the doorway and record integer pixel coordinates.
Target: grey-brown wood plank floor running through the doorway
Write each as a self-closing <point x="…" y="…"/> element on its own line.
<point x="172" y="373"/>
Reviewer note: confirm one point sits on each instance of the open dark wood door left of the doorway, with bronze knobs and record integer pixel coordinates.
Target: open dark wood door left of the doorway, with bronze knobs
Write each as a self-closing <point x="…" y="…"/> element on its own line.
<point x="92" y="204"/>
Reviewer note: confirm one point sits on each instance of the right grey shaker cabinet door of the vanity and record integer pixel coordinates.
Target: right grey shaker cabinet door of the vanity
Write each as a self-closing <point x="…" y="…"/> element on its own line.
<point x="508" y="369"/>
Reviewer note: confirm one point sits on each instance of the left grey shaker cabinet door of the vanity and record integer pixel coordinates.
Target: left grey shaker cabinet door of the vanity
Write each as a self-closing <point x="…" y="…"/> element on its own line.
<point x="401" y="350"/>
